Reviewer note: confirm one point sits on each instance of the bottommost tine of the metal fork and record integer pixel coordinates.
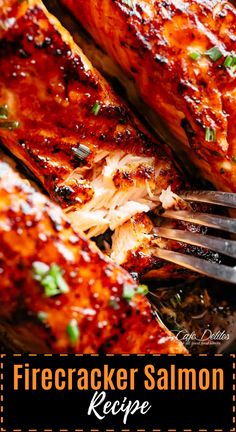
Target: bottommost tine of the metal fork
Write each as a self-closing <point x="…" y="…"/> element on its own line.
<point x="213" y="270"/>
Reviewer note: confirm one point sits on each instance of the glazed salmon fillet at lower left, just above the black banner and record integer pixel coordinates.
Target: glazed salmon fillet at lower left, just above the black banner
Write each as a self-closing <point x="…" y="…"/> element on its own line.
<point x="58" y="293"/>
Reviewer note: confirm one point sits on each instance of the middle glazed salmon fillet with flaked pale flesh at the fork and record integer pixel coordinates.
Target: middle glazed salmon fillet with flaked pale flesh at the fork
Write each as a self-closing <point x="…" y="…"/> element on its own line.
<point x="91" y="154"/>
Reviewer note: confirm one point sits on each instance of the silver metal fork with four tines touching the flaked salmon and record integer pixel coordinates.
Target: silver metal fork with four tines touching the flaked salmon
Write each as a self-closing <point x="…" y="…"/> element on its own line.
<point x="226" y="247"/>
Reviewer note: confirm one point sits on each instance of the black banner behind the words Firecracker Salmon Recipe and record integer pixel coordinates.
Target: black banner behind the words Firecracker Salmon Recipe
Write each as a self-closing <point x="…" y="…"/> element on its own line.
<point x="68" y="409"/>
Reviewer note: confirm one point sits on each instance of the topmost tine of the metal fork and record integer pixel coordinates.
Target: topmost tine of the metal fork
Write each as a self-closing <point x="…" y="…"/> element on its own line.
<point x="212" y="197"/>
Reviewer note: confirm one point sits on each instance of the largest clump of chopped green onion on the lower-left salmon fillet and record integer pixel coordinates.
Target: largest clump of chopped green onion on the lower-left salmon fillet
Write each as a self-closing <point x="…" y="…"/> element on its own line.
<point x="50" y="278"/>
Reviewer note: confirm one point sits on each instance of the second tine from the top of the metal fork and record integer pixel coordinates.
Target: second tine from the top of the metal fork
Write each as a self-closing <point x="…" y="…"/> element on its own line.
<point x="220" y="222"/>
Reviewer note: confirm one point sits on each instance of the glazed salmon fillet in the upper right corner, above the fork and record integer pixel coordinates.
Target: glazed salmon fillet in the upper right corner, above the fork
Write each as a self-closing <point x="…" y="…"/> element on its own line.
<point x="182" y="57"/>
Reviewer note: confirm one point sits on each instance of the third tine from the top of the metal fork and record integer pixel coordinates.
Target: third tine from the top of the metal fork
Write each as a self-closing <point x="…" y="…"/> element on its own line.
<point x="226" y="247"/>
